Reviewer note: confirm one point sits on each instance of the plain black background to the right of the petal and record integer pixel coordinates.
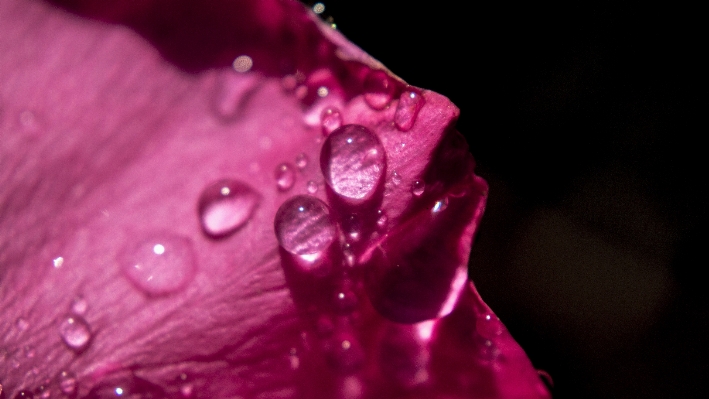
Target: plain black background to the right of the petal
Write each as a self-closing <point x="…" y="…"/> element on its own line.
<point x="583" y="119"/>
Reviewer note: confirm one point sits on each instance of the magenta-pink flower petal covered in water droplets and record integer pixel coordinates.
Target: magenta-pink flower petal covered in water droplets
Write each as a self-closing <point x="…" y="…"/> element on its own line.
<point x="146" y="151"/>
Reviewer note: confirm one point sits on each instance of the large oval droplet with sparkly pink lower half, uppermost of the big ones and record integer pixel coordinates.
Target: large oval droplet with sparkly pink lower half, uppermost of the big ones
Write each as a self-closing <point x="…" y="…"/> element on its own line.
<point x="353" y="162"/>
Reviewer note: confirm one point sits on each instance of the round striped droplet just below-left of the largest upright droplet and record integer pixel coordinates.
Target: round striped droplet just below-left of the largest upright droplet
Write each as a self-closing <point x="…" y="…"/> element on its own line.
<point x="304" y="226"/>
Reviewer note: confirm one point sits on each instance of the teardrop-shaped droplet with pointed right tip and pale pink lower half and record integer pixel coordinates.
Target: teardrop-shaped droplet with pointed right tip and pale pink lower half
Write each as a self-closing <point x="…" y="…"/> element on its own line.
<point x="225" y="206"/>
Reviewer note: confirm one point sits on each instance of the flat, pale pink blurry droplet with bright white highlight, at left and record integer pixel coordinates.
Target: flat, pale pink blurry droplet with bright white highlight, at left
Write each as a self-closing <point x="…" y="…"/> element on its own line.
<point x="161" y="264"/>
